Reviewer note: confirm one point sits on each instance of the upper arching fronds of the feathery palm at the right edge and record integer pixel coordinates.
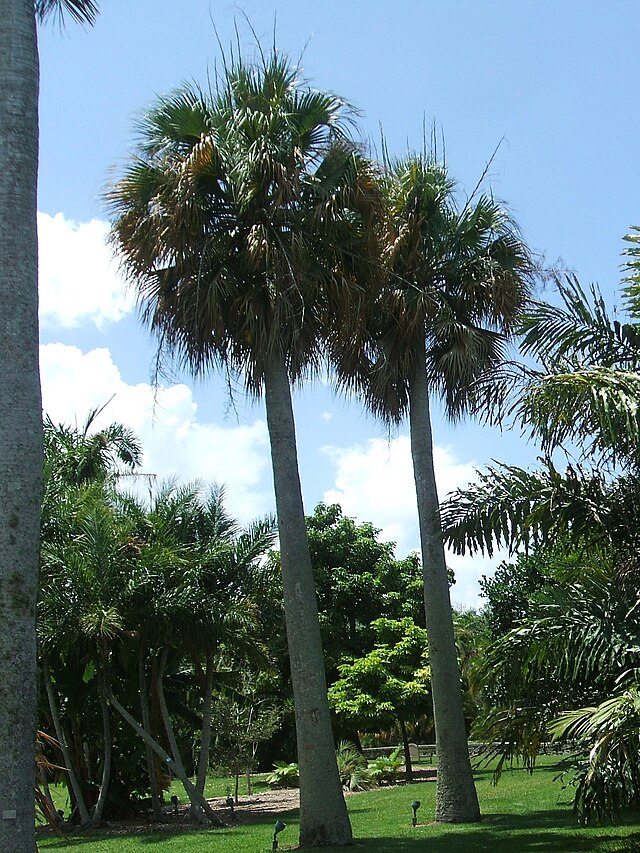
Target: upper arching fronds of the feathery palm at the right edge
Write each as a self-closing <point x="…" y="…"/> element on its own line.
<point x="582" y="399"/>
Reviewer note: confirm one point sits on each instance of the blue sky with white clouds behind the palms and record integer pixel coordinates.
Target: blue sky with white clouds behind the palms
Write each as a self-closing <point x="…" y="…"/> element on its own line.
<point x="554" y="85"/>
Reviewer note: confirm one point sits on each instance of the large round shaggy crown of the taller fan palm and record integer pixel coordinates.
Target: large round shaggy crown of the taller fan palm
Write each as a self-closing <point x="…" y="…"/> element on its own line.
<point x="242" y="221"/>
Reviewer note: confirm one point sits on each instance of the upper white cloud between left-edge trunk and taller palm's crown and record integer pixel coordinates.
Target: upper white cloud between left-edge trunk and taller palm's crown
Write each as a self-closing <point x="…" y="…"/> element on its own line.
<point x="78" y="278"/>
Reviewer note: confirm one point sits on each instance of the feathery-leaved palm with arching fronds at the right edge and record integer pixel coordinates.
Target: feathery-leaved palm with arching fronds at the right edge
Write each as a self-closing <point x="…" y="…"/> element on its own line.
<point x="582" y="400"/>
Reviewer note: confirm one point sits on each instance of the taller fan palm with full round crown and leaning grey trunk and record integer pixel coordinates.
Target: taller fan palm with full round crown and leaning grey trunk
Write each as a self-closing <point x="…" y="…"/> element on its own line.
<point x="243" y="221"/>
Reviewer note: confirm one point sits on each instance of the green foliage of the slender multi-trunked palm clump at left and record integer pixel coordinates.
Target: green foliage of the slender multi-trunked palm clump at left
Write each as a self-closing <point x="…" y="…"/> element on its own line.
<point x="136" y="597"/>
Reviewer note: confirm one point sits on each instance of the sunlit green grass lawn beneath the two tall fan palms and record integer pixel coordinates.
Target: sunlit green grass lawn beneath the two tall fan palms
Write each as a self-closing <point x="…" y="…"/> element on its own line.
<point x="522" y="814"/>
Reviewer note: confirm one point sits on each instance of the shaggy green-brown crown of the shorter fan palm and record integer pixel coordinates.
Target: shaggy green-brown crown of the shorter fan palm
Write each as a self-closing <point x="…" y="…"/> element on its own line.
<point x="457" y="280"/>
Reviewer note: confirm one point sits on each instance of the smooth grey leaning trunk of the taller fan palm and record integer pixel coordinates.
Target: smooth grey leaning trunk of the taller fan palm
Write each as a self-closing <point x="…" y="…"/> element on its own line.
<point x="323" y="814"/>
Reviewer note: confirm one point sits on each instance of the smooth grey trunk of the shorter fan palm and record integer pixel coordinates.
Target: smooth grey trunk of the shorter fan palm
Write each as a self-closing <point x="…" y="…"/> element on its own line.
<point x="456" y="800"/>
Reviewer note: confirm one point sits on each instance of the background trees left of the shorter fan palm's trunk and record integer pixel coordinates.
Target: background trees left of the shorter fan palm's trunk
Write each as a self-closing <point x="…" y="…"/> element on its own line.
<point x="161" y="637"/>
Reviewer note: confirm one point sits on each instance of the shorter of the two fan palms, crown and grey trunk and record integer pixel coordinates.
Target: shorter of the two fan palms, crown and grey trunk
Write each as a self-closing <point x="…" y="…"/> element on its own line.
<point x="457" y="281"/>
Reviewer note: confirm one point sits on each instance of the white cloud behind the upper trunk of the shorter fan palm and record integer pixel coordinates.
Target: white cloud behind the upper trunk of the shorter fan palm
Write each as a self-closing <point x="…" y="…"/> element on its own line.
<point x="374" y="482"/>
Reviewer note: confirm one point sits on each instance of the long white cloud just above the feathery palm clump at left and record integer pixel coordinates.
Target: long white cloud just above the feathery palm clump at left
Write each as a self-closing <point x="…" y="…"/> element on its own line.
<point x="175" y="442"/>
